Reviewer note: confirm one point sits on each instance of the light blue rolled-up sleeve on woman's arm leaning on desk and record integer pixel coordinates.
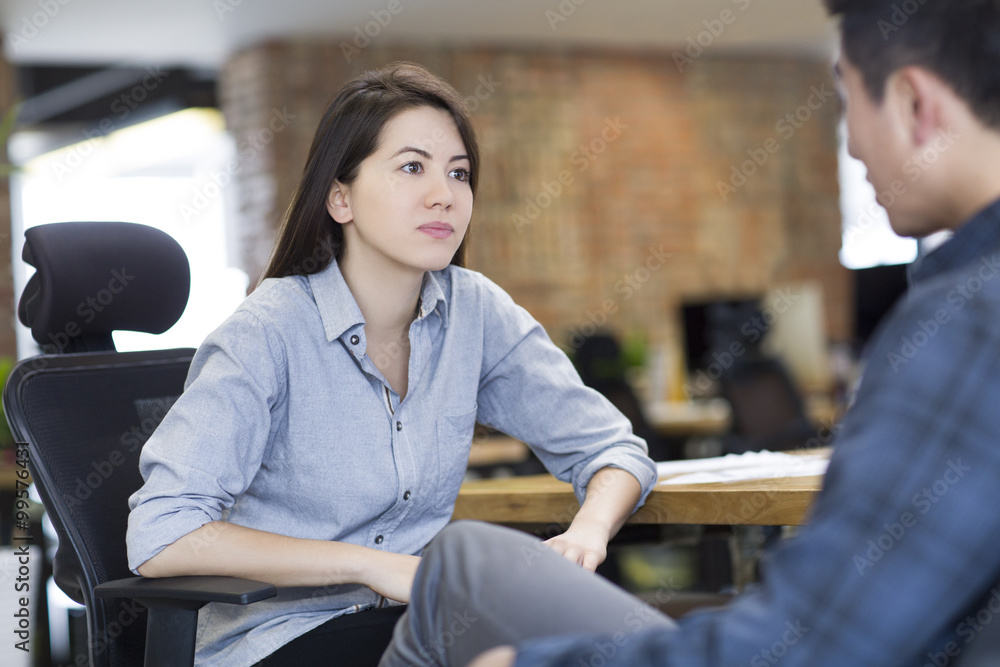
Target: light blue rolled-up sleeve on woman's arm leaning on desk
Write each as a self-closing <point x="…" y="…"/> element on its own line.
<point x="529" y="389"/>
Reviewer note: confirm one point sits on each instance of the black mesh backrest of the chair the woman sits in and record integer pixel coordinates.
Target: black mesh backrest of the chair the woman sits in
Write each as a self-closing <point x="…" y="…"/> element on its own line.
<point x="85" y="418"/>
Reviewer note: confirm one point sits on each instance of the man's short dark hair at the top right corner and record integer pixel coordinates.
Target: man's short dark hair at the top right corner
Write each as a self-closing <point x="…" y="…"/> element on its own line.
<point x="958" y="40"/>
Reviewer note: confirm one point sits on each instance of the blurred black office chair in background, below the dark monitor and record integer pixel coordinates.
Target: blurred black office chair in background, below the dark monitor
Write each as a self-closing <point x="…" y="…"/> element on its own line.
<point x="768" y="412"/>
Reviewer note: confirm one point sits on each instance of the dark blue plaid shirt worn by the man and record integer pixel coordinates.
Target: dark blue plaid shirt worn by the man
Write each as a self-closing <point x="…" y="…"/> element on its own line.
<point x="900" y="562"/>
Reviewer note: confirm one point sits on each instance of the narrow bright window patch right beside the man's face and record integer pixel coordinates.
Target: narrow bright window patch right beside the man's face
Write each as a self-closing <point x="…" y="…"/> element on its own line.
<point x="868" y="240"/>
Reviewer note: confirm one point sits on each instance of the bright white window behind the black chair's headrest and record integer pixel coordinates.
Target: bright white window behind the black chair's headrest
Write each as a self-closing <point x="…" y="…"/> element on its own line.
<point x="155" y="173"/>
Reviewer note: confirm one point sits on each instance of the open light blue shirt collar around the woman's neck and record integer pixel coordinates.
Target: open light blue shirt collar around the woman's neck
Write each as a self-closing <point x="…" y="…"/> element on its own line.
<point x="340" y="312"/>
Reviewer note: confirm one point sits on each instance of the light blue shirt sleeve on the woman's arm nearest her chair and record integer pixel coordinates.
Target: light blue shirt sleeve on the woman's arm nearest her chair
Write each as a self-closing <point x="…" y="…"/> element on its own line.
<point x="210" y="444"/>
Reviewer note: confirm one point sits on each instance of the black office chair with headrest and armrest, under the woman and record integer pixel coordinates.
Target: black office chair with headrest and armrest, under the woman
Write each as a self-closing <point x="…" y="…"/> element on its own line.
<point x="84" y="412"/>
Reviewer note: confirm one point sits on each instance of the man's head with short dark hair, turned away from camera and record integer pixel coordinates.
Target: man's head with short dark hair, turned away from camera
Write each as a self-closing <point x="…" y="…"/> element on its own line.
<point x="922" y="81"/>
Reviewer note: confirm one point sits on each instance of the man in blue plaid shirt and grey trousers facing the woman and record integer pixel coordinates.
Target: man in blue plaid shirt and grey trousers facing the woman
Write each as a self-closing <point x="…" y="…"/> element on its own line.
<point x="900" y="563"/>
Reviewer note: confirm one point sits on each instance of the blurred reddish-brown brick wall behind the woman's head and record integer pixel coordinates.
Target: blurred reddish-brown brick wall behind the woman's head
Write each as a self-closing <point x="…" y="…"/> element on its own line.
<point x="602" y="196"/>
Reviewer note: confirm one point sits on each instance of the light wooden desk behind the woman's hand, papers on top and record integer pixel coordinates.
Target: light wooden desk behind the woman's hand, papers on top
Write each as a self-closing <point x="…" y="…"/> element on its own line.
<point x="544" y="499"/>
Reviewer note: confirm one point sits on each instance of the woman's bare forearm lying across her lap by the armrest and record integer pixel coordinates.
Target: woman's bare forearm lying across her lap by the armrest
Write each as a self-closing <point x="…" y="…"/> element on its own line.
<point x="223" y="548"/>
